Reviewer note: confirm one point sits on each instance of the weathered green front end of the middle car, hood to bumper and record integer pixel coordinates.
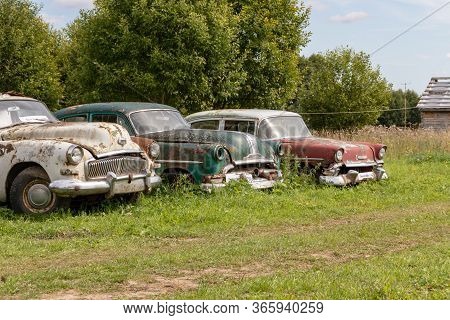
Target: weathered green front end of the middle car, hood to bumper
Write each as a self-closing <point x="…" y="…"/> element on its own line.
<point x="214" y="158"/>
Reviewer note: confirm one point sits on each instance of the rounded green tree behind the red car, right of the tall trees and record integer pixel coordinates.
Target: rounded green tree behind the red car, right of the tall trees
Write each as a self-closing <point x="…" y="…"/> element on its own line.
<point x="341" y="80"/>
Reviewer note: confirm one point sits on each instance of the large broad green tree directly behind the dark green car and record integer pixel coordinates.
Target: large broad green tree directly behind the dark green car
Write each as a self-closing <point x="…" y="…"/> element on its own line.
<point x="183" y="53"/>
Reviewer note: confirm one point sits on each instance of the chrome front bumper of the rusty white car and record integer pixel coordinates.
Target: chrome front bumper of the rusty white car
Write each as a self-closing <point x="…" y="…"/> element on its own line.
<point x="110" y="186"/>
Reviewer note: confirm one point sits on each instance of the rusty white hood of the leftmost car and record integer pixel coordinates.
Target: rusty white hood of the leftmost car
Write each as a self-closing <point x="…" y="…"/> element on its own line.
<point x="98" y="138"/>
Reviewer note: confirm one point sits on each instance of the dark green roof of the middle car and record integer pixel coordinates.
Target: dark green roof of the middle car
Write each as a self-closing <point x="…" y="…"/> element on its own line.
<point x="122" y="107"/>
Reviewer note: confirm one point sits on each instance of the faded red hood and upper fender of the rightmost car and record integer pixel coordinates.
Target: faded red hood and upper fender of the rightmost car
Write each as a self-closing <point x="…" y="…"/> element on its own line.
<point x="325" y="149"/>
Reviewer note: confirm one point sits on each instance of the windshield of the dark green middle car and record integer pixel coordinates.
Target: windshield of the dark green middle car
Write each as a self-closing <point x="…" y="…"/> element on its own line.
<point x="157" y="120"/>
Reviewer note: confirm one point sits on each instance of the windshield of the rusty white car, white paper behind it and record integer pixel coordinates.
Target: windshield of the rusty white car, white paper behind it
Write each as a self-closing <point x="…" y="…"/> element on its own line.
<point x="13" y="112"/>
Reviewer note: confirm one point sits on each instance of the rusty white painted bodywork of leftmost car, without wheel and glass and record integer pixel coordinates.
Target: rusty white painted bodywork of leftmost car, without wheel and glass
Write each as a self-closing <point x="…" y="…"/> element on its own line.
<point x="46" y="144"/>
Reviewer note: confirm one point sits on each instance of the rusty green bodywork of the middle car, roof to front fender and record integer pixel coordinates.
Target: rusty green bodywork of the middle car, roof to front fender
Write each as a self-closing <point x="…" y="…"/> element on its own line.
<point x="184" y="150"/>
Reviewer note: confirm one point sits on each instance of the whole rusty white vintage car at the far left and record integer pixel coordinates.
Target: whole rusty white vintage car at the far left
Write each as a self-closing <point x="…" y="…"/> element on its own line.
<point x="45" y="163"/>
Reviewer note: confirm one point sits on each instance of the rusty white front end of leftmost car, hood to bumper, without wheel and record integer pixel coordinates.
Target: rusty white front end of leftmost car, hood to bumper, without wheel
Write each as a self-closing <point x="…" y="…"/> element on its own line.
<point x="88" y="159"/>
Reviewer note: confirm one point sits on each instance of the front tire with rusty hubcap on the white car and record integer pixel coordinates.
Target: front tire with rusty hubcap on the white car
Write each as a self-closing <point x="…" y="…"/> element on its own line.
<point x="29" y="193"/>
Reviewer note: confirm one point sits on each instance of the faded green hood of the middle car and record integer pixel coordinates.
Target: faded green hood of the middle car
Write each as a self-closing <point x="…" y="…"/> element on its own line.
<point x="241" y="146"/>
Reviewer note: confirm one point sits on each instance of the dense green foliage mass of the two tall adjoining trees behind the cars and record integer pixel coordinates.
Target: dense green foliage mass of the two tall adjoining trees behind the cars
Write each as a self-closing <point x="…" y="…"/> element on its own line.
<point x="193" y="55"/>
